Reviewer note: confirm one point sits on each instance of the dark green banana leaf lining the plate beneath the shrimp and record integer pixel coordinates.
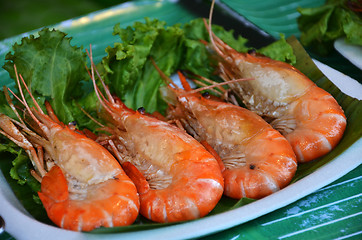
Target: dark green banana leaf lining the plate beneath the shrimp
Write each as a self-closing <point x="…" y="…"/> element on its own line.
<point x="351" y="106"/>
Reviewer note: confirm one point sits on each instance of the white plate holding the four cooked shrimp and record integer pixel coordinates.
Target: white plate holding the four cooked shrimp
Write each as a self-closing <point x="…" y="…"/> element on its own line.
<point x="22" y="226"/>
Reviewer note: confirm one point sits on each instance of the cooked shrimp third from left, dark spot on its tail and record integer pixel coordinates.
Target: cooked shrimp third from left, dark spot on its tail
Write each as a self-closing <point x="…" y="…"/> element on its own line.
<point x="258" y="160"/>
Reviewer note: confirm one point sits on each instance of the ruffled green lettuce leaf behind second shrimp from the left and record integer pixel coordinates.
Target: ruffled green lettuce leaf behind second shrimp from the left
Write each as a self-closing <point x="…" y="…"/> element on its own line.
<point x="129" y="71"/>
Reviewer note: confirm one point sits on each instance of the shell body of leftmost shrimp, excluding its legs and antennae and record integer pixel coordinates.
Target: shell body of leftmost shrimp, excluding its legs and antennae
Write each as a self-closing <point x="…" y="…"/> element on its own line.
<point x="87" y="188"/>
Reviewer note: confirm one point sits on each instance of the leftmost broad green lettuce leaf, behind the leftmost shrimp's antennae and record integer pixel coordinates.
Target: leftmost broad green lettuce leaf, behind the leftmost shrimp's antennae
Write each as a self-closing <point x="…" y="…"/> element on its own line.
<point x="51" y="67"/>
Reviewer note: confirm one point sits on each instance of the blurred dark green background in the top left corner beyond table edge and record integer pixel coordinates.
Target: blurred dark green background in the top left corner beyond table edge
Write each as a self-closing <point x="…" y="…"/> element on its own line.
<point x="19" y="16"/>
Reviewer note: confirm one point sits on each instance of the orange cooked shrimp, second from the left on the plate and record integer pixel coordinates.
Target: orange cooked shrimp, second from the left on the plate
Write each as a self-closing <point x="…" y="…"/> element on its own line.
<point x="176" y="177"/>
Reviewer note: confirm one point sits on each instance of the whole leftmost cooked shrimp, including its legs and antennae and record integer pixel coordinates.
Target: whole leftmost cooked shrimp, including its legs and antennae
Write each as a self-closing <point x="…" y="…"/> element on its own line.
<point x="82" y="185"/>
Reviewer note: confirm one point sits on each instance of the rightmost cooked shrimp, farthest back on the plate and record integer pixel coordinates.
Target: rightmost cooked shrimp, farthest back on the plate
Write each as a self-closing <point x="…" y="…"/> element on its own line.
<point x="308" y="116"/>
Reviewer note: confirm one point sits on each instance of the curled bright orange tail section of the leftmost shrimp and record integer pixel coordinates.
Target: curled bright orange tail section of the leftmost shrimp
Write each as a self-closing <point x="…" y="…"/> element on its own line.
<point x="107" y="204"/>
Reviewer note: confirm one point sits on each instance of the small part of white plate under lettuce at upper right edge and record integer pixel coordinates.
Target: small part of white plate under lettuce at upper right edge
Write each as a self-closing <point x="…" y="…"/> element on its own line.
<point x="352" y="52"/>
